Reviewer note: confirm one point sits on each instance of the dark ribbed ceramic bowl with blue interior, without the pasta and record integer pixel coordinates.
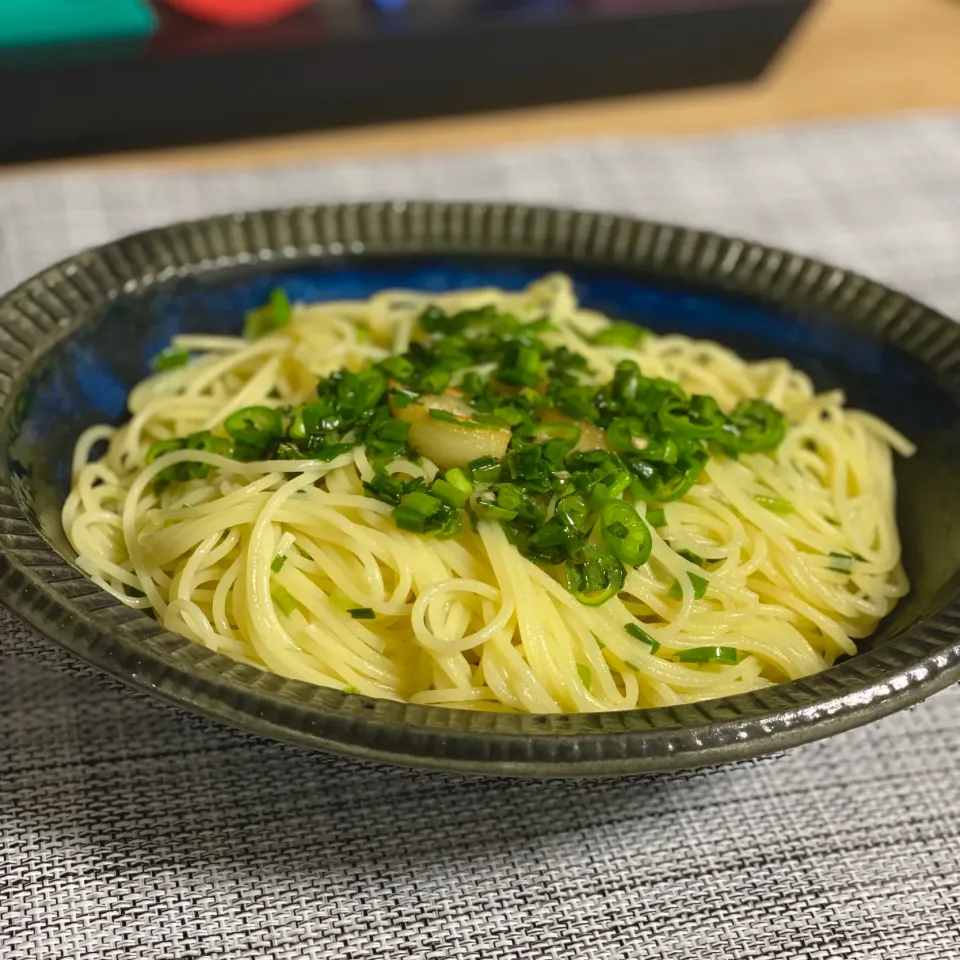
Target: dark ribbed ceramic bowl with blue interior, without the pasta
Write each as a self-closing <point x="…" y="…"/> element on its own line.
<point x="76" y="338"/>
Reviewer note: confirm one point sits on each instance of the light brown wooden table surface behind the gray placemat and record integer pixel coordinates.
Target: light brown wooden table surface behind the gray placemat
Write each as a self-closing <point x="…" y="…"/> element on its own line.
<point x="848" y="58"/>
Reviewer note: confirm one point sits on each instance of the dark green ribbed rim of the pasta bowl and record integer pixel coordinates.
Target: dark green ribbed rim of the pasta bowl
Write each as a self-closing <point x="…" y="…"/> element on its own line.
<point x="54" y="597"/>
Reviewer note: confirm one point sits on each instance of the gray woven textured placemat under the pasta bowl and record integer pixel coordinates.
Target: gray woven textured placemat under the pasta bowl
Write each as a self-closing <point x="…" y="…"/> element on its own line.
<point x="132" y="830"/>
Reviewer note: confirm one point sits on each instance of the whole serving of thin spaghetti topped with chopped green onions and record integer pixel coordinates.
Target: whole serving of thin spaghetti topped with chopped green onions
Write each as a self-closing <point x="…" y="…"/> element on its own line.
<point x="492" y="500"/>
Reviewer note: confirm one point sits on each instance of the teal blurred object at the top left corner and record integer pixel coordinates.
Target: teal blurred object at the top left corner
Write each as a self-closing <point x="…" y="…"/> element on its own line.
<point x="33" y="22"/>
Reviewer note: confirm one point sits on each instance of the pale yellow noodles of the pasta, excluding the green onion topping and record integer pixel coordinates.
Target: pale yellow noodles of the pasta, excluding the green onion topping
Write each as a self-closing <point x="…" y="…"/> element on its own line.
<point x="770" y="566"/>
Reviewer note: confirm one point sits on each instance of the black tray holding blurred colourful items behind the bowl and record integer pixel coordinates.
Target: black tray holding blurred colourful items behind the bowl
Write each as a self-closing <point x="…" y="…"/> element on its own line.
<point x="342" y="62"/>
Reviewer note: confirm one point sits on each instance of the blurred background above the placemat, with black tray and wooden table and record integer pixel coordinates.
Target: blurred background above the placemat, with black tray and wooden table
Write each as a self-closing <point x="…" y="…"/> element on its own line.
<point x="97" y="76"/>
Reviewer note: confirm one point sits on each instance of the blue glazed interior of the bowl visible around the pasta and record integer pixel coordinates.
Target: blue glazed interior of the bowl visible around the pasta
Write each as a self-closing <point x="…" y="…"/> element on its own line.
<point x="86" y="377"/>
